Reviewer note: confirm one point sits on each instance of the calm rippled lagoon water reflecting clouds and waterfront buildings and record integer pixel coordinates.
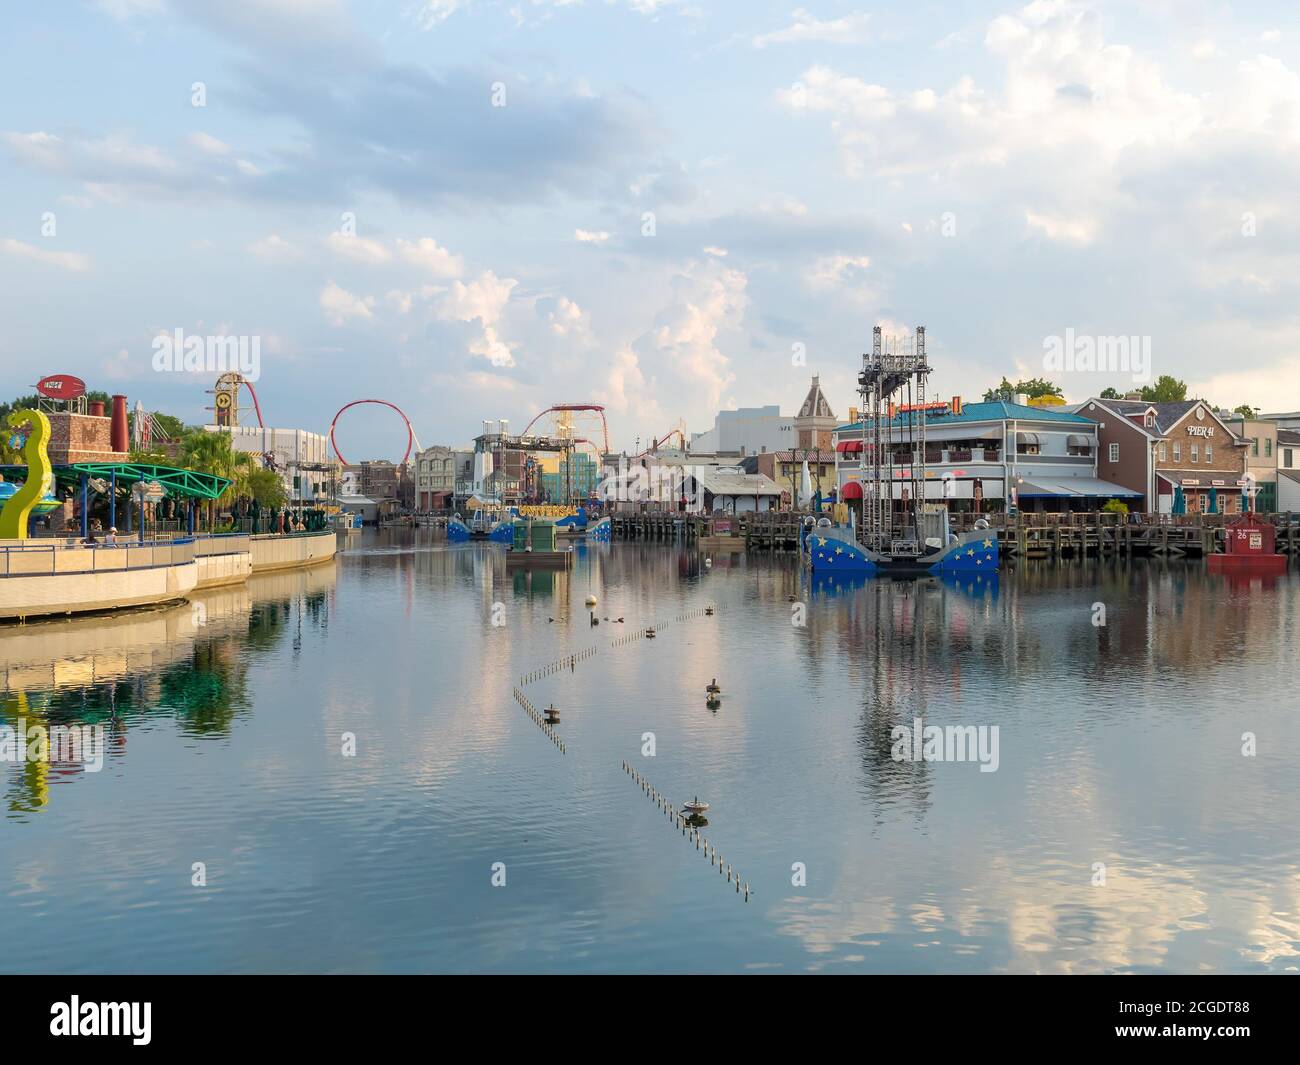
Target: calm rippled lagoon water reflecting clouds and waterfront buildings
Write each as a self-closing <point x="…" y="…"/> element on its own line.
<point x="1119" y="744"/>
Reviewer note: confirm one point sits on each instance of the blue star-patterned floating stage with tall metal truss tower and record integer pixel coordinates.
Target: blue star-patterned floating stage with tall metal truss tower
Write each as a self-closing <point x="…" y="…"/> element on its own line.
<point x="900" y="531"/>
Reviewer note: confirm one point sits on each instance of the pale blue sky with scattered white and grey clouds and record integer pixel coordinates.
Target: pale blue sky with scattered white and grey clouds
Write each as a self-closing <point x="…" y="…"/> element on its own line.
<point x="478" y="209"/>
